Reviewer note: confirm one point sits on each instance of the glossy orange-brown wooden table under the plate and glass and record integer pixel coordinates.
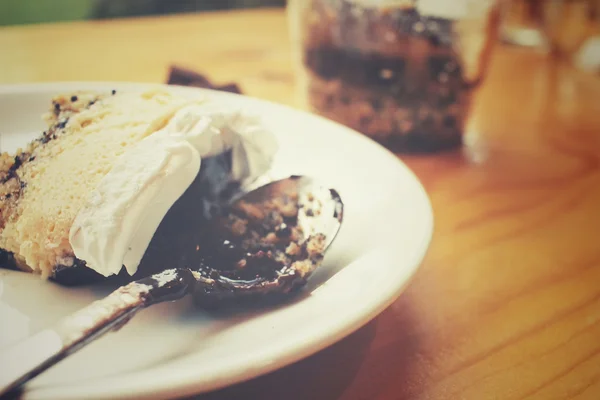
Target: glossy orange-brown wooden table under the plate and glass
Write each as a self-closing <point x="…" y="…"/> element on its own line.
<point x="507" y="302"/>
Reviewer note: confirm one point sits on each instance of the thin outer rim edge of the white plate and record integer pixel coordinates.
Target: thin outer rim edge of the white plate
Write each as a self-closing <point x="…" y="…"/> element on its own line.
<point x="300" y="351"/>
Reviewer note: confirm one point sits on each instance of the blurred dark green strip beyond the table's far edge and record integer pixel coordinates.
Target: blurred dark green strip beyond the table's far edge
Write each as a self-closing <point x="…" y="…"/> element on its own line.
<point x="15" y="12"/>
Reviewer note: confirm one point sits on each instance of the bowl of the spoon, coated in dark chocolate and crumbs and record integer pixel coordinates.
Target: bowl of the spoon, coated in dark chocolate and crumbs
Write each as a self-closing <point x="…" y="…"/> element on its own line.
<point x="287" y="226"/>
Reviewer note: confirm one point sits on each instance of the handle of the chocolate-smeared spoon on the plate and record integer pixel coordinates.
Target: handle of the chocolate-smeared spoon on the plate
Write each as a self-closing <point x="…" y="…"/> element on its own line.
<point x="32" y="356"/>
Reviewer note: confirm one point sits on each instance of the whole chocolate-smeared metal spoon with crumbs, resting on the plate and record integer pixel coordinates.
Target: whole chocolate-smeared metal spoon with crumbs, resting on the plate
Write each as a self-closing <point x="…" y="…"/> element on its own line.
<point x="266" y="243"/>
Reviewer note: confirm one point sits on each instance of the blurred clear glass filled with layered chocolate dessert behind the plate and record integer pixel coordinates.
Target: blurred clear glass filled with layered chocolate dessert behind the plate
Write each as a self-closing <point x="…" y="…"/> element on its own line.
<point x="401" y="72"/>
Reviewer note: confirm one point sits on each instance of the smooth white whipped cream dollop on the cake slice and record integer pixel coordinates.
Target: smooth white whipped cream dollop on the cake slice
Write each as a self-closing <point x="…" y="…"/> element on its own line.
<point x="117" y="223"/>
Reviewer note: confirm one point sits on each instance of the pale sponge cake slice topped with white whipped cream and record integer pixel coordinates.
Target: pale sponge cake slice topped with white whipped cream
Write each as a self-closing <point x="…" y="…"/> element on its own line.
<point x="90" y="193"/>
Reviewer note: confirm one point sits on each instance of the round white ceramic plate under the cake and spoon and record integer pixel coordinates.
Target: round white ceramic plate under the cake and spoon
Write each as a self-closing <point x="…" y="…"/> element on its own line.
<point x="174" y="350"/>
